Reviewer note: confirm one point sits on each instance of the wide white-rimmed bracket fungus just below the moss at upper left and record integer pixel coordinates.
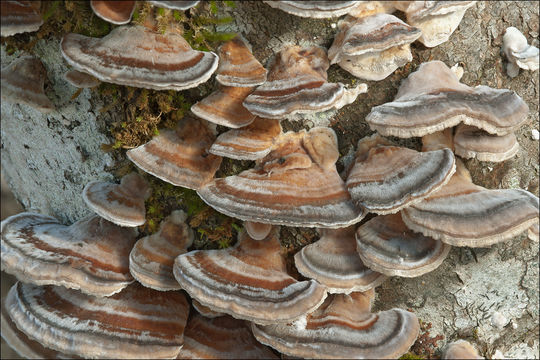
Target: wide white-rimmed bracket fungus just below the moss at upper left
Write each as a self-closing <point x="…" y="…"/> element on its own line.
<point x="137" y="56"/>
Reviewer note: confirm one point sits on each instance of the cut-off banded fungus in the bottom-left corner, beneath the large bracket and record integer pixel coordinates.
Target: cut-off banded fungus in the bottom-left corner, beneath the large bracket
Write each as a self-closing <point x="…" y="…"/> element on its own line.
<point x="22" y="344"/>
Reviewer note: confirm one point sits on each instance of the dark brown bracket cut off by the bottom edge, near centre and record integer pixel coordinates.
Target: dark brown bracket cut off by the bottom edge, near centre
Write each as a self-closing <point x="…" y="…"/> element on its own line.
<point x="221" y="338"/>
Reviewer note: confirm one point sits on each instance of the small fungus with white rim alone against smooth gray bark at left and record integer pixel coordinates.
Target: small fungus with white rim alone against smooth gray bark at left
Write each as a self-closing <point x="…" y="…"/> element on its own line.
<point x="122" y="204"/>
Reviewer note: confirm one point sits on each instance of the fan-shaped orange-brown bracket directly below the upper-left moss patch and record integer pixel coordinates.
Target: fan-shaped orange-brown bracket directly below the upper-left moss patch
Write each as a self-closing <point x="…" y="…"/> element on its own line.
<point x="179" y="156"/>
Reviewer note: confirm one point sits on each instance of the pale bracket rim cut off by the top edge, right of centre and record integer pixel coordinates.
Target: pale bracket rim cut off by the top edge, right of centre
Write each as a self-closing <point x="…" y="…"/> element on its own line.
<point x="315" y="9"/>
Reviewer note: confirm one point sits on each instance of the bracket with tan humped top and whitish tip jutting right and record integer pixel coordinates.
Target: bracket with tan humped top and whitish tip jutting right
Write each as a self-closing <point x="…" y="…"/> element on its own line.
<point x="296" y="83"/>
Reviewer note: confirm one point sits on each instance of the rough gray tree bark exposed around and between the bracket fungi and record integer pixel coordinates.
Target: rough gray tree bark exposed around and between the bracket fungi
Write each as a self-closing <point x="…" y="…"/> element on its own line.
<point x="47" y="160"/>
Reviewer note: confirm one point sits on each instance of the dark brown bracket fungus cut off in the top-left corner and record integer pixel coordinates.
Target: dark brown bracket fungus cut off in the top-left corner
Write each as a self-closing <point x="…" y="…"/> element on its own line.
<point x="19" y="17"/>
